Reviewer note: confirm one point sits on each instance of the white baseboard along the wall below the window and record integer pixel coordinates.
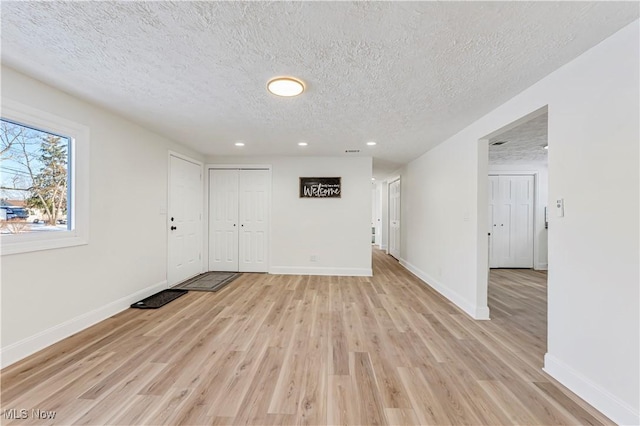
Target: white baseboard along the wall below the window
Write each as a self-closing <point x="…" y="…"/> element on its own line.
<point x="25" y="347"/>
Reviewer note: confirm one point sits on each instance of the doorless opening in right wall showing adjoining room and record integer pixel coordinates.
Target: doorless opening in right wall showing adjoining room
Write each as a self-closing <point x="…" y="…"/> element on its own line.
<point x="513" y="194"/>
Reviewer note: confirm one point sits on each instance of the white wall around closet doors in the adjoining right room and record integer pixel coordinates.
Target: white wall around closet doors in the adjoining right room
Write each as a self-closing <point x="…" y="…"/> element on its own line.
<point x="541" y="196"/>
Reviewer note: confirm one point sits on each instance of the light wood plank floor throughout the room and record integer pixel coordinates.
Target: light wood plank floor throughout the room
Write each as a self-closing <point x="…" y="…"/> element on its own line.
<point x="273" y="349"/>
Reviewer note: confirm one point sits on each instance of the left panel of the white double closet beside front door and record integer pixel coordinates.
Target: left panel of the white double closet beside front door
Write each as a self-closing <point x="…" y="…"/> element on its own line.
<point x="223" y="220"/>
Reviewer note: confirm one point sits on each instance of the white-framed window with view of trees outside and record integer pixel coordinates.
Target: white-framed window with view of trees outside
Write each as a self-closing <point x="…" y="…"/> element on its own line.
<point x="43" y="180"/>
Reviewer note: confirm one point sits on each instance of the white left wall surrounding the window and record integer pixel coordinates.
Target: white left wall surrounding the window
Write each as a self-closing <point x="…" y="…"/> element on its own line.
<point x="48" y="295"/>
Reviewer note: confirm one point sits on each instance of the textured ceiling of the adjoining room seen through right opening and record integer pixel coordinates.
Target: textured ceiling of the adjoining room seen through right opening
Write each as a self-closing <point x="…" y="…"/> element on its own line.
<point x="523" y="144"/>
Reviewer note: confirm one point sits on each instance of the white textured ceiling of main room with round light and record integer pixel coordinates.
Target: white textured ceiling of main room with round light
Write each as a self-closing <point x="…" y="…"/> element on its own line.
<point x="406" y="75"/>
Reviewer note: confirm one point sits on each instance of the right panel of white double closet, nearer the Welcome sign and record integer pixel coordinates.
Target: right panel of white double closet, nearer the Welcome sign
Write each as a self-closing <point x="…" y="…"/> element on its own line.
<point x="254" y="220"/>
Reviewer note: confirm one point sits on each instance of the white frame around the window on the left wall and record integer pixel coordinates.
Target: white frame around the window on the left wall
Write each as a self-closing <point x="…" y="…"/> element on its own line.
<point x="78" y="169"/>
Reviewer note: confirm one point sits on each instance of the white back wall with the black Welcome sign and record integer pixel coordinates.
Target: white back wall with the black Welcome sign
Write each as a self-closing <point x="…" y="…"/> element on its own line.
<point x="337" y="231"/>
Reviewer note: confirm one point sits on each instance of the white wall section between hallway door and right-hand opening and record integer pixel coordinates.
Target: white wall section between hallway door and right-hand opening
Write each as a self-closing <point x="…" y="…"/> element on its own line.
<point x="438" y="193"/>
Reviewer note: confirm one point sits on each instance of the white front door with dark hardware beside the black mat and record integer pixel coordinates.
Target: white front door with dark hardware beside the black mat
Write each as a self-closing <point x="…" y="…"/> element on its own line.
<point x="184" y="220"/>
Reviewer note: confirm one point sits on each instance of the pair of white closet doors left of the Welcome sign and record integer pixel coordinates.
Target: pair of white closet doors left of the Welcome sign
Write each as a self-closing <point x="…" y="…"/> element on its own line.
<point x="239" y="220"/>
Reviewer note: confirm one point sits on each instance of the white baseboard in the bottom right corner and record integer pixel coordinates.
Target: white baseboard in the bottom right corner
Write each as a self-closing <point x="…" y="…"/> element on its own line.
<point x="601" y="399"/>
